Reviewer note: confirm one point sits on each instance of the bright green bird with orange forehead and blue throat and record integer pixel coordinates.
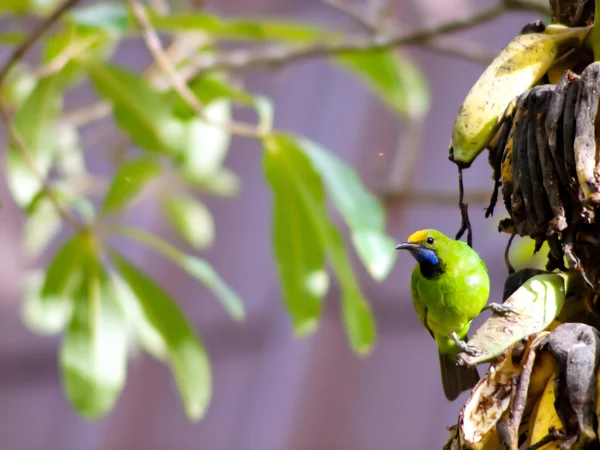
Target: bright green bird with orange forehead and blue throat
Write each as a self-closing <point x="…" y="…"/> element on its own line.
<point x="450" y="286"/>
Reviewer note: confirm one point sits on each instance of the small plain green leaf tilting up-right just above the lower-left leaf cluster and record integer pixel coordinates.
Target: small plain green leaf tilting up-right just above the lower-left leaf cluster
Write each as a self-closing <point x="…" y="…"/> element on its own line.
<point x="129" y="181"/>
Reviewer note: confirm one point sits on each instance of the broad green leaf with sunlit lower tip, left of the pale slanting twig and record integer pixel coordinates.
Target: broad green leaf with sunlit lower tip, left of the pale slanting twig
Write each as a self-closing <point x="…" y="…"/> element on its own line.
<point x="143" y="112"/>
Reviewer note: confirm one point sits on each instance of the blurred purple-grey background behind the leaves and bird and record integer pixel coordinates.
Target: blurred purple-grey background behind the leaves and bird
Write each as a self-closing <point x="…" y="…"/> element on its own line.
<point x="272" y="391"/>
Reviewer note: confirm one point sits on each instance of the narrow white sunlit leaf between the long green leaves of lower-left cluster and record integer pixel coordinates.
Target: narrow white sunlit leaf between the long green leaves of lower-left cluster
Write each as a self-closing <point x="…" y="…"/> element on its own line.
<point x="146" y="335"/>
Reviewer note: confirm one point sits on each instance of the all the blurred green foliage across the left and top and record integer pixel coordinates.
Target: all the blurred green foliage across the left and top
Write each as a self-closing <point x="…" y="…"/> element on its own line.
<point x="94" y="296"/>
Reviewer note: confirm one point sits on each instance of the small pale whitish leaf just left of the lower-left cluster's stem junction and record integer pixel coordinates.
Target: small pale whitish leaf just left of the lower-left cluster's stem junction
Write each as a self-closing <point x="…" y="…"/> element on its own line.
<point x="41" y="226"/>
